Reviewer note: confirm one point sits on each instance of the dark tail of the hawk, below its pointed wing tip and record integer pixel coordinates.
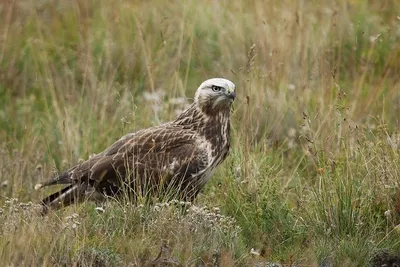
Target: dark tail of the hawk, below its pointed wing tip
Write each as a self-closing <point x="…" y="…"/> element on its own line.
<point x="71" y="194"/>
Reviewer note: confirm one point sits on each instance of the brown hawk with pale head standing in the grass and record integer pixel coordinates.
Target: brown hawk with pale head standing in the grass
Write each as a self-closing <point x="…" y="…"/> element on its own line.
<point x="174" y="159"/>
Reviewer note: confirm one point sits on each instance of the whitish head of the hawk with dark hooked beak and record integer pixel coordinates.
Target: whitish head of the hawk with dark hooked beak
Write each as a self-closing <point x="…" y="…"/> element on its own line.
<point x="215" y="94"/>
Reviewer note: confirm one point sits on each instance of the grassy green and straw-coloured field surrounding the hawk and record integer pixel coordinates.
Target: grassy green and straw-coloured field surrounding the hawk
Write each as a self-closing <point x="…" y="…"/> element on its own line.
<point x="313" y="175"/>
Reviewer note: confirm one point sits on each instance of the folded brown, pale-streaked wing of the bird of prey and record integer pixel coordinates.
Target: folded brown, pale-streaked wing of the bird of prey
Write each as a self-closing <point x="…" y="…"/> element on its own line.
<point x="157" y="147"/>
